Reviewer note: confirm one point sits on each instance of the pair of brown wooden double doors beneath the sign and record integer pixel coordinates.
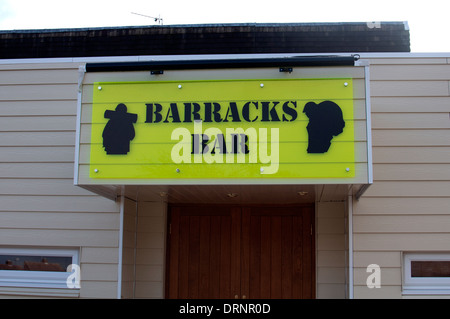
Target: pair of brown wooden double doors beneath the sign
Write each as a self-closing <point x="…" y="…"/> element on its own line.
<point x="240" y="252"/>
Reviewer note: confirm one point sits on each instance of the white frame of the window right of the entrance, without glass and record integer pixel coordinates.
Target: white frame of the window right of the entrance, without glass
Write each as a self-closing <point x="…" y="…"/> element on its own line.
<point x="424" y="285"/>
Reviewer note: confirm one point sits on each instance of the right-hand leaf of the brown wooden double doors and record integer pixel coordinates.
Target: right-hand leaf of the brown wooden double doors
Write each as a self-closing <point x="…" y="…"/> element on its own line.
<point x="277" y="253"/>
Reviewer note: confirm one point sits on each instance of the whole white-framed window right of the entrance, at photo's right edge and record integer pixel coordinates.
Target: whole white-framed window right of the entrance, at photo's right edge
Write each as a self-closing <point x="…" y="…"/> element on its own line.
<point x="426" y="273"/>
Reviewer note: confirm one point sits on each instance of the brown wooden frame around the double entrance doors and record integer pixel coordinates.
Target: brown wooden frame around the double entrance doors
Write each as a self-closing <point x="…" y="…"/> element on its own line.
<point x="239" y="242"/>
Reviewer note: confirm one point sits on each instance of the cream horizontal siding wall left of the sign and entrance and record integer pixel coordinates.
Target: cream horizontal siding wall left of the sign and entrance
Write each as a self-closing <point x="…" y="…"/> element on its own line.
<point x="40" y="206"/>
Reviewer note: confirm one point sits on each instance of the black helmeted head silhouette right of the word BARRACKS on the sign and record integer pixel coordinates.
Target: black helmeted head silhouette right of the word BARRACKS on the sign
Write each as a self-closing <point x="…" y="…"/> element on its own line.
<point x="325" y="121"/>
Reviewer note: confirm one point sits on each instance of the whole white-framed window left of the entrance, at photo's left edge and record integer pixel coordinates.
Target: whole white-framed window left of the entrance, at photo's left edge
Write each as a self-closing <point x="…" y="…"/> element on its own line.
<point x="45" y="268"/>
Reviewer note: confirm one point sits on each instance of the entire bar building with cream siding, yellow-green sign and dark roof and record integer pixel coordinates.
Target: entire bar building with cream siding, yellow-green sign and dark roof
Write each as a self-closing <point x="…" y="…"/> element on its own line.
<point x="370" y="221"/>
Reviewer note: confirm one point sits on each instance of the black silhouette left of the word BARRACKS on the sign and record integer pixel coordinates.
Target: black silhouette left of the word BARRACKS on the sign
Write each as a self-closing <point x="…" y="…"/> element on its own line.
<point x="119" y="131"/>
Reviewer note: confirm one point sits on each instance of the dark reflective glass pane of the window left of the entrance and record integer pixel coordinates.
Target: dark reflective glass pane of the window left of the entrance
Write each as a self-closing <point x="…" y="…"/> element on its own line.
<point x="34" y="263"/>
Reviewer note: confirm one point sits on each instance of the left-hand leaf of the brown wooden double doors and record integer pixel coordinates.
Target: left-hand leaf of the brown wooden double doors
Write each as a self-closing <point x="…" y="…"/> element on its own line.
<point x="204" y="253"/>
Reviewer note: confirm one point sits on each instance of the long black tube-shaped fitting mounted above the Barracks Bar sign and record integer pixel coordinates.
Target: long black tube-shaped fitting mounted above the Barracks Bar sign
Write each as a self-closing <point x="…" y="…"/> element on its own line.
<point x="286" y="62"/>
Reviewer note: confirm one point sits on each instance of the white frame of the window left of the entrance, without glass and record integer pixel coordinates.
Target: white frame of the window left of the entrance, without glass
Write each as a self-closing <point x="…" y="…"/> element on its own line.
<point x="37" y="279"/>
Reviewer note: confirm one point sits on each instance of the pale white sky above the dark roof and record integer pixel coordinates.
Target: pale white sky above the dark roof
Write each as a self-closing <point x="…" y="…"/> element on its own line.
<point x="428" y="21"/>
